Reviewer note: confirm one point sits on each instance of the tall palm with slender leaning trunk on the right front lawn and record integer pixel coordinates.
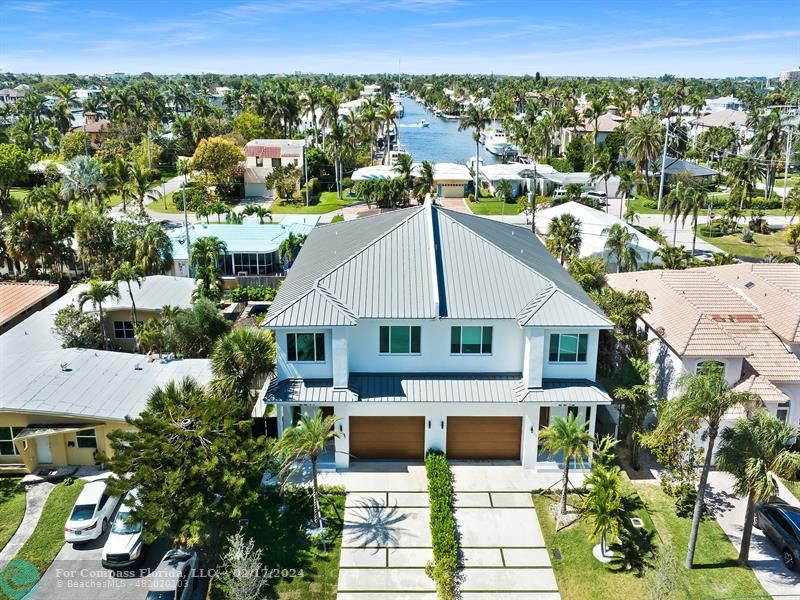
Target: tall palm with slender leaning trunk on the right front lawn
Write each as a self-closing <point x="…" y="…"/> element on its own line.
<point x="705" y="398"/>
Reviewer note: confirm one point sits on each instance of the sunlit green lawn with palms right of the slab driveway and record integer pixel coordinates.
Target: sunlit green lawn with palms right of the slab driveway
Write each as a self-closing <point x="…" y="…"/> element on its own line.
<point x="581" y="577"/>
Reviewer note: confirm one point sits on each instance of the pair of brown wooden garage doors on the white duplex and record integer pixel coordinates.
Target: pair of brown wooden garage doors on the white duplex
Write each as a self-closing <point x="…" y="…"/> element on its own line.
<point x="403" y="438"/>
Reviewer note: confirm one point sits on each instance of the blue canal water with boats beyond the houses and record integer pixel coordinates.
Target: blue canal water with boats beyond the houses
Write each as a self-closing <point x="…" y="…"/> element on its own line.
<point x="441" y="141"/>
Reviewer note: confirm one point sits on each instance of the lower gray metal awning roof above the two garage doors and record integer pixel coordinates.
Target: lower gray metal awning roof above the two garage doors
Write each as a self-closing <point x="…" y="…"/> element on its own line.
<point x="436" y="387"/>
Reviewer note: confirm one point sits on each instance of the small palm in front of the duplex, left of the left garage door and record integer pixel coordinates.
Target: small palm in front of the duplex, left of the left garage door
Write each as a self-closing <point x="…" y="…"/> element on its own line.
<point x="303" y="442"/>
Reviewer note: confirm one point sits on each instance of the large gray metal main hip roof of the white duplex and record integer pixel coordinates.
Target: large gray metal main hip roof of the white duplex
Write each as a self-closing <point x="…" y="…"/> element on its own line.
<point x="423" y="263"/>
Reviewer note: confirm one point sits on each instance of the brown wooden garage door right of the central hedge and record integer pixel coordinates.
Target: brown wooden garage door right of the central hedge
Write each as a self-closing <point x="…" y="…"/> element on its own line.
<point x="484" y="437"/>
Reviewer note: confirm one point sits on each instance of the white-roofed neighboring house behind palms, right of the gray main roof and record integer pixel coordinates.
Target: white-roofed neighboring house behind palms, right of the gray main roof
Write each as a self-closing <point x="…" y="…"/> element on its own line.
<point x="594" y="225"/>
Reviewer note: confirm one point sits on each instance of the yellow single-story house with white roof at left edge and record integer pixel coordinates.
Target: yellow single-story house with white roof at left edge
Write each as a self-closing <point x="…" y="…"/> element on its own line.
<point x="57" y="405"/>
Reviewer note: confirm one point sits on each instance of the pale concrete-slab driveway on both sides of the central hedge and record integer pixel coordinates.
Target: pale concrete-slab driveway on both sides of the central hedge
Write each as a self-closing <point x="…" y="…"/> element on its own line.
<point x="386" y="541"/>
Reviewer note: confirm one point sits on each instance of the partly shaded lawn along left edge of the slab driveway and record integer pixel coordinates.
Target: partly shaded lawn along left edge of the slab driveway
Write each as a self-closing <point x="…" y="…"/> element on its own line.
<point x="304" y="569"/>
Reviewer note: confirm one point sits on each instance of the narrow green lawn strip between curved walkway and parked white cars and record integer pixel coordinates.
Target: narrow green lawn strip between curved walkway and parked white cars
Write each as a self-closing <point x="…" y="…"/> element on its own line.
<point x="48" y="537"/>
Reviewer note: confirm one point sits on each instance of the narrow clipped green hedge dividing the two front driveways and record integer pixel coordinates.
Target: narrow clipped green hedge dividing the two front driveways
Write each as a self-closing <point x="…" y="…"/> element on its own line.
<point x="444" y="568"/>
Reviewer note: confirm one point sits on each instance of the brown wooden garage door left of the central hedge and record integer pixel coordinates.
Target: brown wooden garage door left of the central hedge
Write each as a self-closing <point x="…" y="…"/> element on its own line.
<point x="387" y="437"/>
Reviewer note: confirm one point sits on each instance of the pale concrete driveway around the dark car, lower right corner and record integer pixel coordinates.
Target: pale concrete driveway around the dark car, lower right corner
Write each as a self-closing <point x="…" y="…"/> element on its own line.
<point x="765" y="558"/>
